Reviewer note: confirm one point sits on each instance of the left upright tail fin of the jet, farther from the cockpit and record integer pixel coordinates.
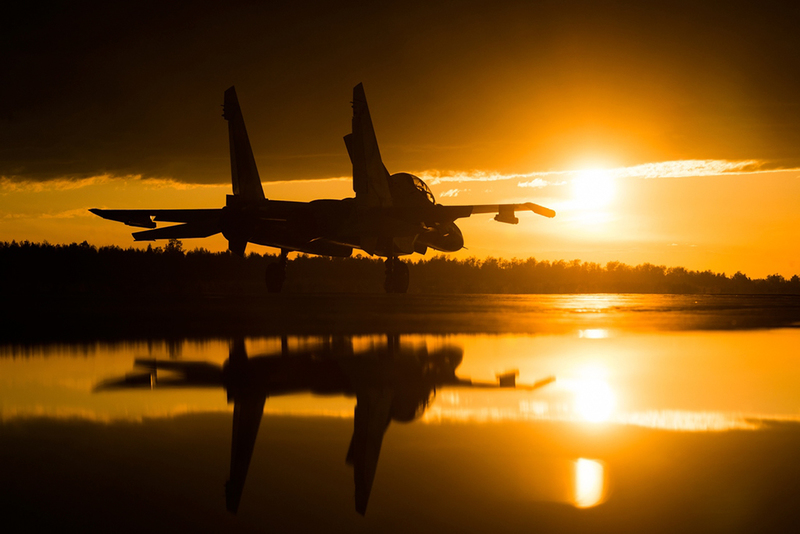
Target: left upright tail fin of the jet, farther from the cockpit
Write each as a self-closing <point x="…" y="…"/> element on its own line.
<point x="244" y="173"/>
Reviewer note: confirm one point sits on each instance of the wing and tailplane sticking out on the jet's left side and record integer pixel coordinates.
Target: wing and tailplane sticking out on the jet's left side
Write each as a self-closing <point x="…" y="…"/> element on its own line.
<point x="196" y="222"/>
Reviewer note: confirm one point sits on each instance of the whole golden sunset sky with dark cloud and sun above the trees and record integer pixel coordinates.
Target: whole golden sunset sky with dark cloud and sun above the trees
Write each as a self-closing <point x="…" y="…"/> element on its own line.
<point x="665" y="133"/>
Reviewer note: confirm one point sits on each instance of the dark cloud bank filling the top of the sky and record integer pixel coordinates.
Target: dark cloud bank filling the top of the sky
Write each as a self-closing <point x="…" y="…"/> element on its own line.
<point x="95" y="88"/>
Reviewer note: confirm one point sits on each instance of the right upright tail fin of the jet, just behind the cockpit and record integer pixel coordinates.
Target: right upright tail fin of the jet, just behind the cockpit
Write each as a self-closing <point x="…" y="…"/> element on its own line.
<point x="370" y="177"/>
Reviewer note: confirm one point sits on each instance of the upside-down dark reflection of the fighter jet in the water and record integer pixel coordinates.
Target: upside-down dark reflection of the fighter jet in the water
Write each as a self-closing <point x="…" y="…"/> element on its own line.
<point x="389" y="382"/>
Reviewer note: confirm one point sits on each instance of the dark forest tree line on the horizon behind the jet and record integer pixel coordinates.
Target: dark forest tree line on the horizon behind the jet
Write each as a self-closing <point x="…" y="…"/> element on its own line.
<point x="42" y="269"/>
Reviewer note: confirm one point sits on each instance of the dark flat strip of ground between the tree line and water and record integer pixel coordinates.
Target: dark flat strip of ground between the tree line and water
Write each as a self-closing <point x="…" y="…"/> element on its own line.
<point x="83" y="317"/>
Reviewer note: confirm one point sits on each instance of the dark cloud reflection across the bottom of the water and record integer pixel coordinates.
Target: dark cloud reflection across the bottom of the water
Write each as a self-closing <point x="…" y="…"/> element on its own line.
<point x="167" y="475"/>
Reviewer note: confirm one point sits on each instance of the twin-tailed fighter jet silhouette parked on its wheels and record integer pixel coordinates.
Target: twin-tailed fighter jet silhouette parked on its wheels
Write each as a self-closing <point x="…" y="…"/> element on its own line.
<point x="392" y="215"/>
